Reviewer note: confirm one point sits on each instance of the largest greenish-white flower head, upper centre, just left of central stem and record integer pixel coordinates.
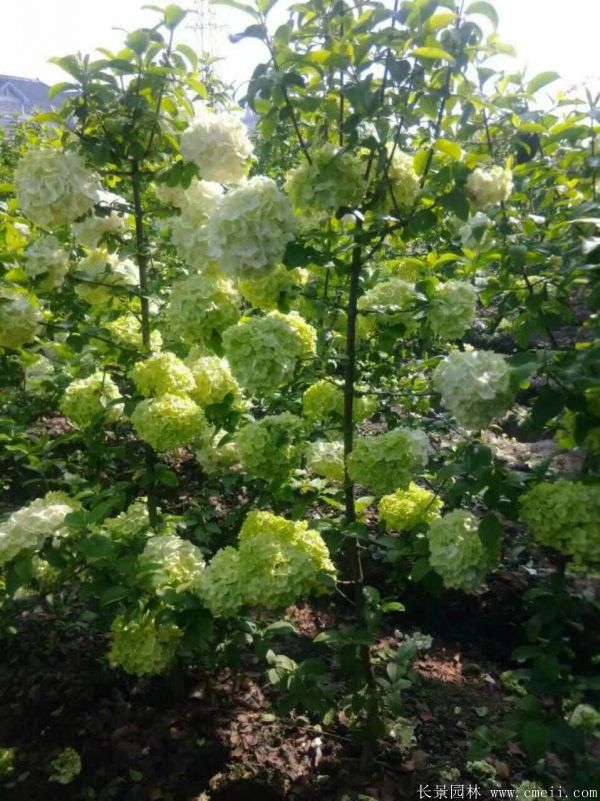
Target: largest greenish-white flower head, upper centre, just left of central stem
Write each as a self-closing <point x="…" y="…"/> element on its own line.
<point x="250" y="227"/>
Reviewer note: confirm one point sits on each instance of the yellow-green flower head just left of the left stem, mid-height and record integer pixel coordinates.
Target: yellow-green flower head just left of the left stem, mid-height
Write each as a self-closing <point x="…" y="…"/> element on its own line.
<point x="86" y="399"/>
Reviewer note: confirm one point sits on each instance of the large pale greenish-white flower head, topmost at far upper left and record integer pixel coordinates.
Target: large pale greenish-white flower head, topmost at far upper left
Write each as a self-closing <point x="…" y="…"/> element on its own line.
<point x="54" y="187"/>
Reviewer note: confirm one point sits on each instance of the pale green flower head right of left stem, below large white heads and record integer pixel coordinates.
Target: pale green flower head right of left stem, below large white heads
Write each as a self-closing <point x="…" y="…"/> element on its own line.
<point x="202" y="306"/>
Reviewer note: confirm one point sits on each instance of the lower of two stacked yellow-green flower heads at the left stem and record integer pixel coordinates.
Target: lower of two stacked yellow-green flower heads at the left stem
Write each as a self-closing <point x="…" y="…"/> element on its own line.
<point x="169" y="422"/>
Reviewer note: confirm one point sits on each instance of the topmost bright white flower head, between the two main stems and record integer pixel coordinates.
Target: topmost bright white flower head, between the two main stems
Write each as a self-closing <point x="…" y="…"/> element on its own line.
<point x="218" y="144"/>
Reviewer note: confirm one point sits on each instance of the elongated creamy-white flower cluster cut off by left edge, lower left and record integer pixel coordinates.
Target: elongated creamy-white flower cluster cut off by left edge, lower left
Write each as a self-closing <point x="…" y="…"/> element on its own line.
<point x="27" y="528"/>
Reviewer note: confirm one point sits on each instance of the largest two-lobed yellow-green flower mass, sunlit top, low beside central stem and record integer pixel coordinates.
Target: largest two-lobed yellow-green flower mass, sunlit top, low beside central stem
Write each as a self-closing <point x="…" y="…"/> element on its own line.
<point x="278" y="561"/>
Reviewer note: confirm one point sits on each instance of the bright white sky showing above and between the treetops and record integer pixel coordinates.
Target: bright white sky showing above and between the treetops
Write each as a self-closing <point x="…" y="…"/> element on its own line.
<point x="548" y="35"/>
